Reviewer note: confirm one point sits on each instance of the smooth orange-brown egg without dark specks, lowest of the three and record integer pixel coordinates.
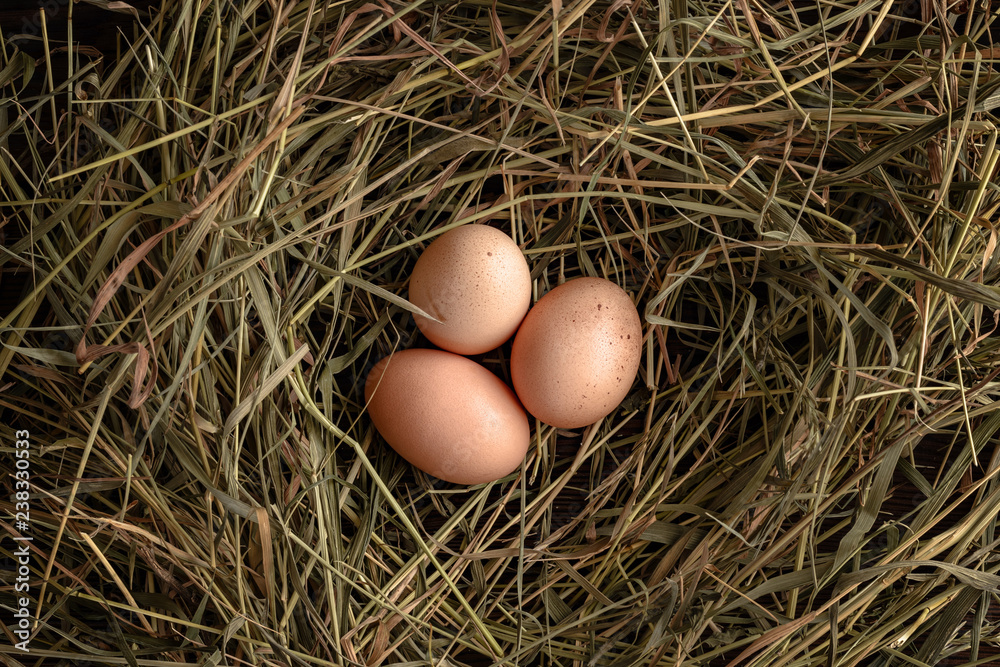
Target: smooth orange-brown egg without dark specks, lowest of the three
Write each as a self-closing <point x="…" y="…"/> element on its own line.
<point x="447" y="415"/>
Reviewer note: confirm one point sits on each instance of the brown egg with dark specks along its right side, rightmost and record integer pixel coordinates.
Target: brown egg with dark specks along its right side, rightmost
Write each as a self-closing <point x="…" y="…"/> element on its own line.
<point x="577" y="353"/>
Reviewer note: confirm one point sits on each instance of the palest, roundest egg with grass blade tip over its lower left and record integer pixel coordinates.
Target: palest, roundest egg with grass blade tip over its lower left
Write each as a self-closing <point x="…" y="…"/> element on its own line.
<point x="475" y="281"/>
